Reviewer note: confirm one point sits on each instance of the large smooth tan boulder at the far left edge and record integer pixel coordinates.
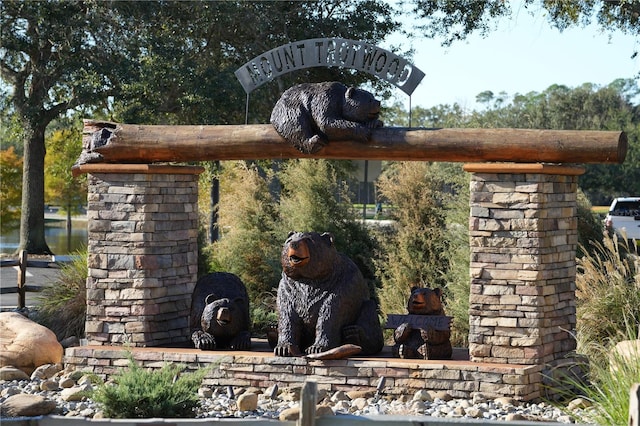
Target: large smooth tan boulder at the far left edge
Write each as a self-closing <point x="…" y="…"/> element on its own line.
<point x="26" y="344"/>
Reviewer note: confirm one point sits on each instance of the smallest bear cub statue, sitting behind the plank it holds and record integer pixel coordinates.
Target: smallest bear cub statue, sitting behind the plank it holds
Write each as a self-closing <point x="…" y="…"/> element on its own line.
<point x="423" y="343"/>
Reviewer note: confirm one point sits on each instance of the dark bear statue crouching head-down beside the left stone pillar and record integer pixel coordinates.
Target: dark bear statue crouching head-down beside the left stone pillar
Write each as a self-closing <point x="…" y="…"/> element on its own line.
<point x="220" y="313"/>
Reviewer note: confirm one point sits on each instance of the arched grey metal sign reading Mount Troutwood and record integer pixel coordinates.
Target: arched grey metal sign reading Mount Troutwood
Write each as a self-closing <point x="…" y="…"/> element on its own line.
<point x="329" y="52"/>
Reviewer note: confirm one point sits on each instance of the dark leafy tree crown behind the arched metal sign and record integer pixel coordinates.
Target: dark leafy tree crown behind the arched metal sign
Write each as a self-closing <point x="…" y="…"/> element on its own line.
<point x="186" y="64"/>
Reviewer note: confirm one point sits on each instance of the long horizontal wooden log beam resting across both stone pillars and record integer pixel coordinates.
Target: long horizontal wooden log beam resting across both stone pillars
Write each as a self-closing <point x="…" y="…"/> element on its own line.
<point x="105" y="142"/>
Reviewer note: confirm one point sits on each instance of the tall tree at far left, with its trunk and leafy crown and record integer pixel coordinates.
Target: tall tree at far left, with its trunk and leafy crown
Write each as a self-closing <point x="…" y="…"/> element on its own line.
<point x="54" y="56"/>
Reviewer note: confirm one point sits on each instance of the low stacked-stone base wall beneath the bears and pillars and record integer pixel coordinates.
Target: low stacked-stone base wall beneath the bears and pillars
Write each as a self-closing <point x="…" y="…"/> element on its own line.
<point x="461" y="379"/>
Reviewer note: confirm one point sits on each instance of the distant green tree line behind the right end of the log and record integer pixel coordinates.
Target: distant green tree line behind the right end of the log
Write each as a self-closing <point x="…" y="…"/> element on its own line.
<point x="586" y="107"/>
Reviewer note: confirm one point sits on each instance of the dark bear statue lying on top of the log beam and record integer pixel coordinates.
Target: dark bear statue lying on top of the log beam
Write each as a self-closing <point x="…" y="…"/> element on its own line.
<point x="310" y="115"/>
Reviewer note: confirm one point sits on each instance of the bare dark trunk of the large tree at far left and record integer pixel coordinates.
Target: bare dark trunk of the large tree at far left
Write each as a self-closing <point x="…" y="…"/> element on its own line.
<point x="32" y="237"/>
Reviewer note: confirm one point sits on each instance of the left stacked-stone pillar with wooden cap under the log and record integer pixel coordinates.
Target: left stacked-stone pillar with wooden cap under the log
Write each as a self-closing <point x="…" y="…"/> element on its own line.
<point x="142" y="253"/>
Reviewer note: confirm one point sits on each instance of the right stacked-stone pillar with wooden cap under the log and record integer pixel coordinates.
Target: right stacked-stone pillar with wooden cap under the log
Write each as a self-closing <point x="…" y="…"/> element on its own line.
<point x="523" y="238"/>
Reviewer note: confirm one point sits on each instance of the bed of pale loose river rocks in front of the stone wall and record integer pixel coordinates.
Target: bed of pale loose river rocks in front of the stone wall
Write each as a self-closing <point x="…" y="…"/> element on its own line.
<point x="66" y="388"/>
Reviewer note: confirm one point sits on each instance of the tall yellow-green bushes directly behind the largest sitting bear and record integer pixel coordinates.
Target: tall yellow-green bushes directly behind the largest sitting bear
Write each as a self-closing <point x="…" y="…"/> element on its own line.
<point x="258" y="208"/>
